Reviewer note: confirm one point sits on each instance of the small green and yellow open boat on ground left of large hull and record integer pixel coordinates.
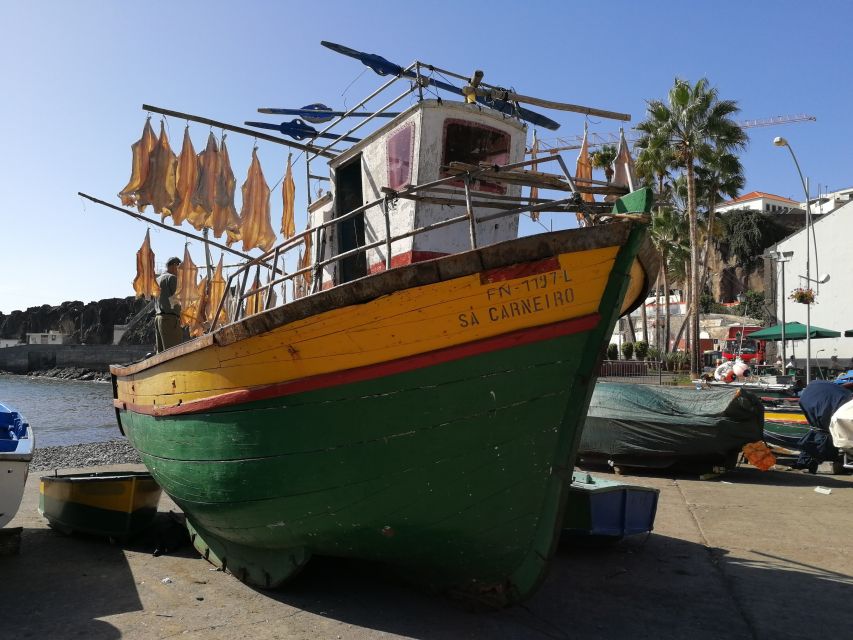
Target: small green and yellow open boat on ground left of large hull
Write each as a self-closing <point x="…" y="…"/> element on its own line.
<point x="107" y="503"/>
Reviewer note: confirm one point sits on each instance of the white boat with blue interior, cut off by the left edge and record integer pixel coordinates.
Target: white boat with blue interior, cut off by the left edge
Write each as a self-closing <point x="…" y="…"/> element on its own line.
<point x="16" y="451"/>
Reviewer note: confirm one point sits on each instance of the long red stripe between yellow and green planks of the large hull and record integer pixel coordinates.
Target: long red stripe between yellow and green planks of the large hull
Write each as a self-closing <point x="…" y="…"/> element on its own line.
<point x="370" y="372"/>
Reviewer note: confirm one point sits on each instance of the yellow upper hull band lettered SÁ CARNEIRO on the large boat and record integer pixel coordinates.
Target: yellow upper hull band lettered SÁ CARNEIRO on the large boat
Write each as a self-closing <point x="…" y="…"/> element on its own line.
<point x="405" y="323"/>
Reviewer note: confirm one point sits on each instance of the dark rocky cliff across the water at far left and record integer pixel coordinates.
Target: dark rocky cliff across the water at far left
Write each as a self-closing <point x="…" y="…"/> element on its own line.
<point x="90" y="323"/>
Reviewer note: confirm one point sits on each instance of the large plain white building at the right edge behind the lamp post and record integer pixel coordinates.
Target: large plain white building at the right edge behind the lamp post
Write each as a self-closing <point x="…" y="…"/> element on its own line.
<point x="834" y="304"/>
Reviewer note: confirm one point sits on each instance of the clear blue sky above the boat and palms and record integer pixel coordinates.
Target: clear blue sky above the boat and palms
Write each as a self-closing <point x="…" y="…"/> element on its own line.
<point x="76" y="74"/>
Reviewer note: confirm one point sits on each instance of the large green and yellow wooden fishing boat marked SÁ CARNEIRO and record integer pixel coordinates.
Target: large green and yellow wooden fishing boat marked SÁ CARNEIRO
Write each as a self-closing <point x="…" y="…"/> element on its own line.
<point x="420" y="403"/>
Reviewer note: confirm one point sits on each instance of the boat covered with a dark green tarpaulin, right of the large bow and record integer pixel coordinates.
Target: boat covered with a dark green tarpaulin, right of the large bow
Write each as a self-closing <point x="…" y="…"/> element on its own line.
<point x="650" y="426"/>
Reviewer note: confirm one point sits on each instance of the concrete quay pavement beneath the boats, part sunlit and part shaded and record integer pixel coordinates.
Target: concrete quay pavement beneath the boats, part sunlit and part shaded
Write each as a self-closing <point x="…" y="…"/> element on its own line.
<point x="707" y="571"/>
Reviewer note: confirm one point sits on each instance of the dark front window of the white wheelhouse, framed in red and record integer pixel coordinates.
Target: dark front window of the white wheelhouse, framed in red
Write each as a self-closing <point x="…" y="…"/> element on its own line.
<point x="473" y="143"/>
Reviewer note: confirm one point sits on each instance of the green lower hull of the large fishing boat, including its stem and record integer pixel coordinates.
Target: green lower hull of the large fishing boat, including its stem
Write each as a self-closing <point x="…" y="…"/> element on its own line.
<point x="455" y="473"/>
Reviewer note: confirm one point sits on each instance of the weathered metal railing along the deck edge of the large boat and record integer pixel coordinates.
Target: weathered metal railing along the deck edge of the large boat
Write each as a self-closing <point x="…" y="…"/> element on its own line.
<point x="260" y="296"/>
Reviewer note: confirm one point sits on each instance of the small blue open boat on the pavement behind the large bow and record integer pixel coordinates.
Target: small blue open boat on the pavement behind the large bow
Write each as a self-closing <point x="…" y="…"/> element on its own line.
<point x="606" y="509"/>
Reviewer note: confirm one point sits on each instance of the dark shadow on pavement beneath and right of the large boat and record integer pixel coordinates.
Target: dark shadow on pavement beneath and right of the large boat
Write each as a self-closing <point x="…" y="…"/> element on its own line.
<point x="644" y="587"/>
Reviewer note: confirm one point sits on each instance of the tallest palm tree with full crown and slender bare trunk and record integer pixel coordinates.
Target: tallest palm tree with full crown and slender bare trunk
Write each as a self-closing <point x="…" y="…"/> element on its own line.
<point x="693" y="123"/>
